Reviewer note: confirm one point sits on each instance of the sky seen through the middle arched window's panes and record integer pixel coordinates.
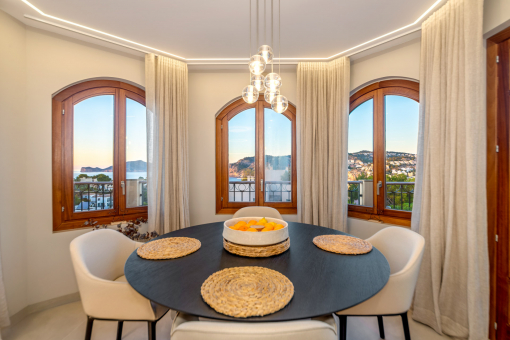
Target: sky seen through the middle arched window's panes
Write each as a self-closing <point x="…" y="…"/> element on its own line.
<point x="241" y="139"/>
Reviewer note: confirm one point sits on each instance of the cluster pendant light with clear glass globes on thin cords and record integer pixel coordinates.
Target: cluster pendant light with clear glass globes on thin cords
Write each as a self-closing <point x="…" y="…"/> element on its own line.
<point x="271" y="82"/>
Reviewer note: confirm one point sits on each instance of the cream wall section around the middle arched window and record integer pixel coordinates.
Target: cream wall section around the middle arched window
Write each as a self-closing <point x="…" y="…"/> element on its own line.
<point x="208" y="93"/>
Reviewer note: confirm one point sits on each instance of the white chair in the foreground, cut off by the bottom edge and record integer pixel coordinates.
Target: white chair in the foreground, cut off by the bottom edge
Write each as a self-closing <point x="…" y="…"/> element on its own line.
<point x="189" y="327"/>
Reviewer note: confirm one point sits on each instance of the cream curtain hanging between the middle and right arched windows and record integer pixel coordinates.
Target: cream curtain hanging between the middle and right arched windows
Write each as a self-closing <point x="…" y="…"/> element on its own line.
<point x="322" y="119"/>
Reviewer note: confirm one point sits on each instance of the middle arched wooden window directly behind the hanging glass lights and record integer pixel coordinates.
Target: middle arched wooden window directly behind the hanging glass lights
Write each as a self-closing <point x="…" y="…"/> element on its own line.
<point x="255" y="157"/>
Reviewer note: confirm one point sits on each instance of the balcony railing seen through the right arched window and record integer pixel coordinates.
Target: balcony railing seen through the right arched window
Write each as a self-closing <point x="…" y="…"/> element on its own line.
<point x="399" y="195"/>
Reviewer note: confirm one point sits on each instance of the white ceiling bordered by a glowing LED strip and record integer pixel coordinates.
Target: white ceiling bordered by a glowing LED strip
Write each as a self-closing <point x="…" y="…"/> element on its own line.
<point x="205" y="29"/>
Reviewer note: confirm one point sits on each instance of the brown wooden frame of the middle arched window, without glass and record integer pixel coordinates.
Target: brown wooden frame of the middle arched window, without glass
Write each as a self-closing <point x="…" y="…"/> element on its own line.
<point x="222" y="178"/>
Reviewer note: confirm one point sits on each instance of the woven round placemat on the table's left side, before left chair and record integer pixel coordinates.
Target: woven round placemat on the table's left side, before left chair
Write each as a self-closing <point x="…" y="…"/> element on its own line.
<point x="168" y="248"/>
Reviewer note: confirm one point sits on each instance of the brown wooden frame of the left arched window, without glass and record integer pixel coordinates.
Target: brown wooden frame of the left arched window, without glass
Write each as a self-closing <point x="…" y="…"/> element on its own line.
<point x="64" y="217"/>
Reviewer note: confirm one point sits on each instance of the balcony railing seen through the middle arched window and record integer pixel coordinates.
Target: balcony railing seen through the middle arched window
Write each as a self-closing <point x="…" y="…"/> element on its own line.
<point x="245" y="191"/>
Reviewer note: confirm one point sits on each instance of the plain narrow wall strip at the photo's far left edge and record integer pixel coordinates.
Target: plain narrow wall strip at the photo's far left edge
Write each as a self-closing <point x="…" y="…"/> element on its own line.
<point x="13" y="186"/>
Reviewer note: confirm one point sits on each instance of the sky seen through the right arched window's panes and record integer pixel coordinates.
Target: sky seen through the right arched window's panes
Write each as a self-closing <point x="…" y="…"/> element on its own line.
<point x="401" y="125"/>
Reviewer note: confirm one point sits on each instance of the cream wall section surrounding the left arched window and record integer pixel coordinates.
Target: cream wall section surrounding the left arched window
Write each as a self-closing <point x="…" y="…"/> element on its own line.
<point x="54" y="62"/>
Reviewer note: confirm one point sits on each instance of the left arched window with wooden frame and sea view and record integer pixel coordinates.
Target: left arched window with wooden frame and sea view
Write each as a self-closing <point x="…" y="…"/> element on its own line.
<point x="99" y="154"/>
